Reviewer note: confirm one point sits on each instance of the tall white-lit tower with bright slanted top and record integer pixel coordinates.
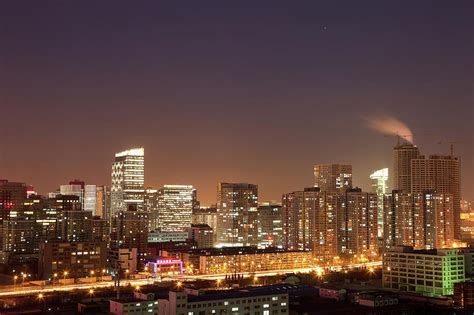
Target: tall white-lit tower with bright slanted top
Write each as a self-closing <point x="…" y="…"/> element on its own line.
<point x="128" y="181"/>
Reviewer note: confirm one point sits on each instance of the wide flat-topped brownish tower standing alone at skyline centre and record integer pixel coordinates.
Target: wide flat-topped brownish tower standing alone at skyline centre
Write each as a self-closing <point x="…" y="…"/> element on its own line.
<point x="237" y="214"/>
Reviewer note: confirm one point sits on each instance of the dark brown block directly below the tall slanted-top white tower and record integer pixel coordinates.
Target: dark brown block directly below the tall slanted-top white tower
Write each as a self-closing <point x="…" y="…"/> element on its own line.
<point x="129" y="231"/>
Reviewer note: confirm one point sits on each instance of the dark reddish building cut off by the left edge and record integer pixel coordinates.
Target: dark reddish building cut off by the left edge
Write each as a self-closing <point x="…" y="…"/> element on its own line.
<point x="12" y="196"/>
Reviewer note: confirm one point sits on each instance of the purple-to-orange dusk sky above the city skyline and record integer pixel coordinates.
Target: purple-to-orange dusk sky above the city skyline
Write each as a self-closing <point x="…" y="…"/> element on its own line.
<point x="252" y="91"/>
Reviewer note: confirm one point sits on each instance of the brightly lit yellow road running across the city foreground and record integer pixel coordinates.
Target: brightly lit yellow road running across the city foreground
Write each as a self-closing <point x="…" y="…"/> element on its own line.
<point x="11" y="291"/>
